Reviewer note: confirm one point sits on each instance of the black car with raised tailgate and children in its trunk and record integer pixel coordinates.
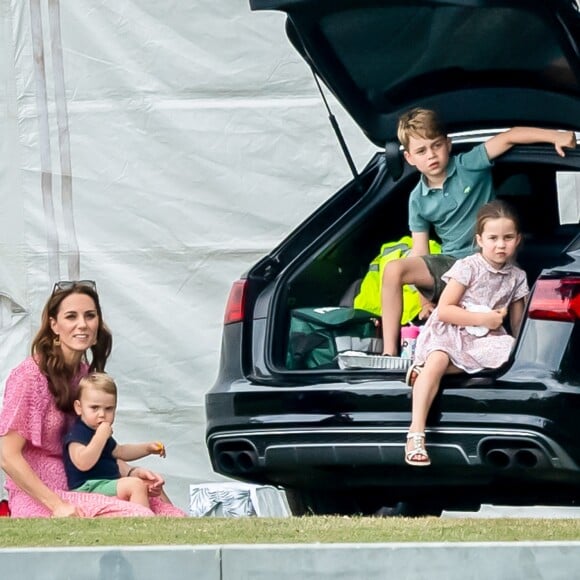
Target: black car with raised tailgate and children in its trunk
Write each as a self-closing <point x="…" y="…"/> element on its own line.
<point x="334" y="437"/>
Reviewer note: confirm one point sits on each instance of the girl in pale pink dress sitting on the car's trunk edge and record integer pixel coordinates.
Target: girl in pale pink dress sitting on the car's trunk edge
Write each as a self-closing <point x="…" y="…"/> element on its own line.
<point x="465" y="332"/>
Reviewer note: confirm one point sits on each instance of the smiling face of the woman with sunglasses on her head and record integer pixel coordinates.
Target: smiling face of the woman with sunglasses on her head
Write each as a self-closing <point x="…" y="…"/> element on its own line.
<point x="76" y="324"/>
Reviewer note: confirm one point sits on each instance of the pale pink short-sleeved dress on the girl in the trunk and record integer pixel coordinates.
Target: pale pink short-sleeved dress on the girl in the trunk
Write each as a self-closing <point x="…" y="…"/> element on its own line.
<point x="484" y="287"/>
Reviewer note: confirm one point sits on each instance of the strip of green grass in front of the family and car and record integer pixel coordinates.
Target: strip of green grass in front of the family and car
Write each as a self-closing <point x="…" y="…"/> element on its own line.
<point x="16" y="533"/>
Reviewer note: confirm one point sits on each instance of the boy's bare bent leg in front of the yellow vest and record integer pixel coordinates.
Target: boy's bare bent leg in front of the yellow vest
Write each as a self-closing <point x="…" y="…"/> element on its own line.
<point x="411" y="270"/>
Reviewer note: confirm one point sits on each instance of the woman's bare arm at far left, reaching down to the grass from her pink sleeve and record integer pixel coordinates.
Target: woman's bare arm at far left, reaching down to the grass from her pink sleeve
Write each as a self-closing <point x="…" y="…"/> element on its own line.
<point x="18" y="469"/>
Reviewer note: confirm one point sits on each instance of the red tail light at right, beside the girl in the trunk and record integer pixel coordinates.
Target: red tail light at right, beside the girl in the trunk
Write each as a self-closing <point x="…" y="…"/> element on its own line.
<point x="556" y="299"/>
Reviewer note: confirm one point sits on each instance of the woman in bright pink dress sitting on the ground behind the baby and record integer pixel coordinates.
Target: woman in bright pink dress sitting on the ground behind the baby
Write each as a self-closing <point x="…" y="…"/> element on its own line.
<point x="37" y="411"/>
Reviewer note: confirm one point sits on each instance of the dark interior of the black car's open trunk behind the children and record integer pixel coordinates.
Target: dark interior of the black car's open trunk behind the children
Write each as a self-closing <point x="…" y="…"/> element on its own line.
<point x="328" y="275"/>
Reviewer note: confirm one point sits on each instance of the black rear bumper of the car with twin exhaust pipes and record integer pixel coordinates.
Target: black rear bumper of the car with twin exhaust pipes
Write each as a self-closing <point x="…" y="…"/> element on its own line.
<point x="353" y="436"/>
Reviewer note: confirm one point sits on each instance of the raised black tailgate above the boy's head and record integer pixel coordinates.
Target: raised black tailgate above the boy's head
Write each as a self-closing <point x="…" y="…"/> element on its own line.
<point x="480" y="63"/>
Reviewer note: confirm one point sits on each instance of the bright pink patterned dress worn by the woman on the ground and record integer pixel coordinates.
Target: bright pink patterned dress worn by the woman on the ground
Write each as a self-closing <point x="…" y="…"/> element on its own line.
<point x="29" y="409"/>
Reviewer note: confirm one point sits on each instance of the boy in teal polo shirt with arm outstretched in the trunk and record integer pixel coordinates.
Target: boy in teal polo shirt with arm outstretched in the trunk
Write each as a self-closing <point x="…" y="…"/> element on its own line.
<point x="447" y="197"/>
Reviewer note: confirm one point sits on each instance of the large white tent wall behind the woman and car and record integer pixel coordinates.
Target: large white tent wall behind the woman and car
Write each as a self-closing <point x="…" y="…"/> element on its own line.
<point x="159" y="148"/>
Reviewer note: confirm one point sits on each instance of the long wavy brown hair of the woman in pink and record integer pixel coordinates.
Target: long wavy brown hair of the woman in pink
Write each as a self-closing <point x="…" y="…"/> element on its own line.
<point x="49" y="356"/>
